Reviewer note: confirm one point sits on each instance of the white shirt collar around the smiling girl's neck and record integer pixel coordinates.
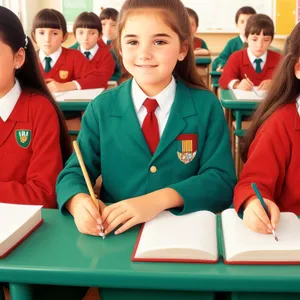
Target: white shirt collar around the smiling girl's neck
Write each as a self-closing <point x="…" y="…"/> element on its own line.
<point x="165" y="98"/>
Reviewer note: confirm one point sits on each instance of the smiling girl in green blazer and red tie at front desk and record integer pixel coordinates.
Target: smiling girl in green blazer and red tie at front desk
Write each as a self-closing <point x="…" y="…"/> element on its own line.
<point x="159" y="140"/>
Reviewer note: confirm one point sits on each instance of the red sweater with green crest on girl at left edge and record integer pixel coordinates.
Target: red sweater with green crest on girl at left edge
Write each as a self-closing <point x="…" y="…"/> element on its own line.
<point x="29" y="169"/>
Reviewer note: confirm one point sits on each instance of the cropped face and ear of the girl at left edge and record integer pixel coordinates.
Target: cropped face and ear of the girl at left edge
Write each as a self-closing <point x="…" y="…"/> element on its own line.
<point x="9" y="62"/>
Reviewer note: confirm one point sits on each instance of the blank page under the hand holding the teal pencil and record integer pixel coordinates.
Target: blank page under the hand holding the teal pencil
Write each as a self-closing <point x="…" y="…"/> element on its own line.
<point x="238" y="238"/>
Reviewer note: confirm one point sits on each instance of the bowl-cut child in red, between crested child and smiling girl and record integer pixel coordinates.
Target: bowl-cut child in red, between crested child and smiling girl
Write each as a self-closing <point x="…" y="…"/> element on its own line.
<point x="87" y="30"/>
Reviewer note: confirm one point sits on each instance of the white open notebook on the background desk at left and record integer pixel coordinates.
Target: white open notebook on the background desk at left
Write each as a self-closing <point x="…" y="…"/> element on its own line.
<point x="78" y="95"/>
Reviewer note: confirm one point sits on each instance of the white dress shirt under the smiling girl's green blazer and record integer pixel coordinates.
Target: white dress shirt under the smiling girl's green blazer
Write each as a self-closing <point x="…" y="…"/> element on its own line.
<point x="164" y="99"/>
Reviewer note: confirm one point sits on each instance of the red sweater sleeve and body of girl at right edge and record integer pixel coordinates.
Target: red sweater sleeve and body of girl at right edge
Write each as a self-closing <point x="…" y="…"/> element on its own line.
<point x="274" y="162"/>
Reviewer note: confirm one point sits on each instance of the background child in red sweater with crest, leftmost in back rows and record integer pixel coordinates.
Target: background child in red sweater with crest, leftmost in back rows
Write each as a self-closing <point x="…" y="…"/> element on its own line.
<point x="63" y="69"/>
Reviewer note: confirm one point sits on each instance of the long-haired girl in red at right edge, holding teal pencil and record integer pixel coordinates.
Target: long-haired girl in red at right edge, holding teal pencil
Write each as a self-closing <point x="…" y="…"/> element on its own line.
<point x="272" y="147"/>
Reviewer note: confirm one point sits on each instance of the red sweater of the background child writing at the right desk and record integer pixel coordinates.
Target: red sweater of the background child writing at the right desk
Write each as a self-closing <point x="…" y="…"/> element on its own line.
<point x="239" y="64"/>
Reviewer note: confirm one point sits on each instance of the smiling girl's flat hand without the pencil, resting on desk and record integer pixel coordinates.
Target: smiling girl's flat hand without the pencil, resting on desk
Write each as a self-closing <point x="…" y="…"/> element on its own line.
<point x="131" y="212"/>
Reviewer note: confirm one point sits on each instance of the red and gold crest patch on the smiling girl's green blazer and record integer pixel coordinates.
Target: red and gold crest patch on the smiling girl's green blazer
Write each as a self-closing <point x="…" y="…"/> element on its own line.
<point x="187" y="145"/>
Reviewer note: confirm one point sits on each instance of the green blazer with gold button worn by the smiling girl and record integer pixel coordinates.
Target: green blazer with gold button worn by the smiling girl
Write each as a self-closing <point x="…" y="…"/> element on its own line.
<point x="112" y="144"/>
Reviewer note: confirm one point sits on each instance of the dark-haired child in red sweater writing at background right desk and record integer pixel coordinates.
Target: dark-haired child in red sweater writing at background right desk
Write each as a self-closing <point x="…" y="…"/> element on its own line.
<point x="256" y="62"/>
